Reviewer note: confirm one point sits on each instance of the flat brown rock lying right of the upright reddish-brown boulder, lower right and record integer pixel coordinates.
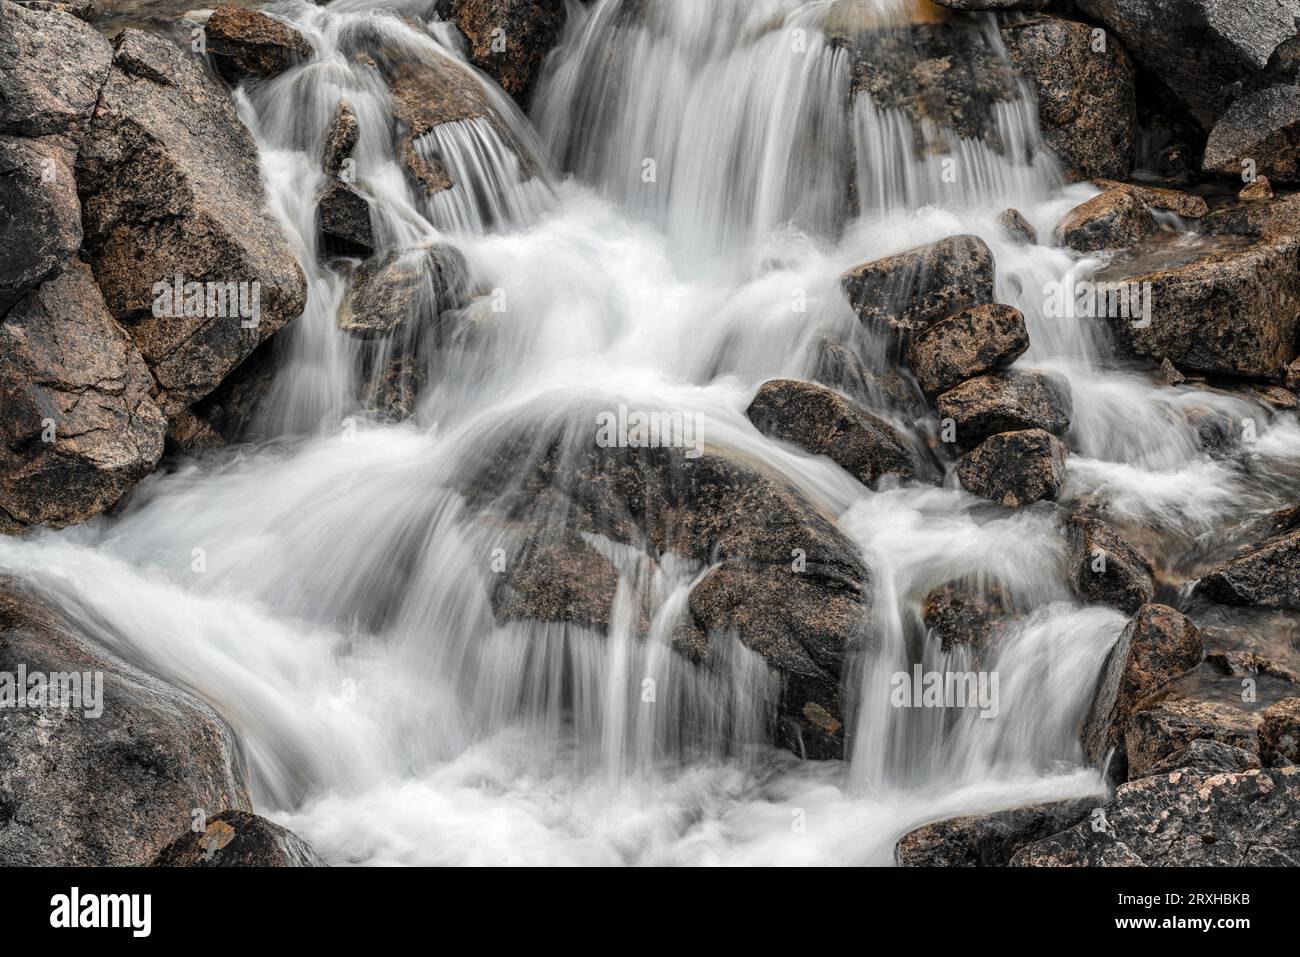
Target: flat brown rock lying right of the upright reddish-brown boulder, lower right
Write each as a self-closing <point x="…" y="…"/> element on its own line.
<point x="1155" y="735"/>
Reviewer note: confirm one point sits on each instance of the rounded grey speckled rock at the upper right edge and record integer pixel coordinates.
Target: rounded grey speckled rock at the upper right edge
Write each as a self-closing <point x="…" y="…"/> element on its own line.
<point x="1264" y="129"/>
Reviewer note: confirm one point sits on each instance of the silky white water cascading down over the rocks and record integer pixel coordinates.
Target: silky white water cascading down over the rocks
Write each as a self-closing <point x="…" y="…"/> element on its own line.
<point x="341" y="621"/>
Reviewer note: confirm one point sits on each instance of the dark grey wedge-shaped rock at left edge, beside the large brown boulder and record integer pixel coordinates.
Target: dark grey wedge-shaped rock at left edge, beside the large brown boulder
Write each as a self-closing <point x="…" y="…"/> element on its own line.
<point x="40" y="215"/>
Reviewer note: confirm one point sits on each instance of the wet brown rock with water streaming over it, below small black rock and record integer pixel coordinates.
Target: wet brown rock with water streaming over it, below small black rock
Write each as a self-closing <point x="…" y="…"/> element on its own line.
<point x="405" y="289"/>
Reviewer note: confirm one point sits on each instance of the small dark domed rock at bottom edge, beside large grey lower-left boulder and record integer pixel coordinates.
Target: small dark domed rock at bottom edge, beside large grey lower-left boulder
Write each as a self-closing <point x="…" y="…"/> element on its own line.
<point x="239" y="839"/>
